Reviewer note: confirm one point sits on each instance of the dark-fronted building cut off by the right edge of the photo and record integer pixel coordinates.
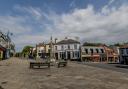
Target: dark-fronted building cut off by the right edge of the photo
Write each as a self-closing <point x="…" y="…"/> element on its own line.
<point x="124" y="54"/>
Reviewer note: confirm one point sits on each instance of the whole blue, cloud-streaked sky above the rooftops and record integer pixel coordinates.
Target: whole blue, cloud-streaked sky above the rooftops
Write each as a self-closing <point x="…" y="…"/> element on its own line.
<point x="35" y="21"/>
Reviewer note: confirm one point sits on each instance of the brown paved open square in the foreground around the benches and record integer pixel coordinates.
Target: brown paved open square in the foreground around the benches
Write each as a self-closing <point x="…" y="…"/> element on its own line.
<point x="16" y="74"/>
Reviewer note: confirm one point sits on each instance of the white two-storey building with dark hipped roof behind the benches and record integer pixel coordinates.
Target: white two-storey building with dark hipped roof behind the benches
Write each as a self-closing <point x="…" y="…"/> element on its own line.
<point x="67" y="49"/>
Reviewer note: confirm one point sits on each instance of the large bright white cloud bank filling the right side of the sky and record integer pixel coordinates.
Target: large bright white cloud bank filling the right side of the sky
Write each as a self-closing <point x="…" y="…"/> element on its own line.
<point x="95" y="26"/>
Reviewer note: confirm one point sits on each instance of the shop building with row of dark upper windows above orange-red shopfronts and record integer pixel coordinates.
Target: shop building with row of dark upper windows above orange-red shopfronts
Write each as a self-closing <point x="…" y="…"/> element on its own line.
<point x="93" y="53"/>
